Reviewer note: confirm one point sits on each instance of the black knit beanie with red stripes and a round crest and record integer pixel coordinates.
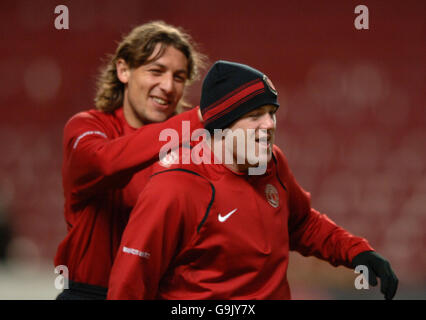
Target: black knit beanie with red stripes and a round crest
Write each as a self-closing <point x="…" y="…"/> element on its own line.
<point x="231" y="90"/>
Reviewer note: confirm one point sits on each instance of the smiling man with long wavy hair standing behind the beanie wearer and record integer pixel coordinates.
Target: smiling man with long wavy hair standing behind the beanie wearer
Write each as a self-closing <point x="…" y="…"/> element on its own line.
<point x="108" y="151"/>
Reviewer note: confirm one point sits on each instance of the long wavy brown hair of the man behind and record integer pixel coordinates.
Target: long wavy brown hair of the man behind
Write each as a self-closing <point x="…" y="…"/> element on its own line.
<point x="135" y="48"/>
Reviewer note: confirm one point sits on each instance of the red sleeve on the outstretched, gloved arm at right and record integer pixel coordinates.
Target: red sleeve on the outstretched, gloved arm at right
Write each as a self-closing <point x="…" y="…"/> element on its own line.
<point x="314" y="234"/>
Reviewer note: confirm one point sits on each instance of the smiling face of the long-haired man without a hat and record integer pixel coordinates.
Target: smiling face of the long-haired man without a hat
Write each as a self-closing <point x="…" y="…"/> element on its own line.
<point x="153" y="90"/>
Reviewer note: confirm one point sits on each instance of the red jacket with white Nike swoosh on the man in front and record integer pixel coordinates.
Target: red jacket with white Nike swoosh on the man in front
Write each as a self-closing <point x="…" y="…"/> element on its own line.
<point x="205" y="232"/>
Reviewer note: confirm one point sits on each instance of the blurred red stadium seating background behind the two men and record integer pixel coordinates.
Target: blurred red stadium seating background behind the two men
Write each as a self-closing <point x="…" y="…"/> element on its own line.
<point x="353" y="121"/>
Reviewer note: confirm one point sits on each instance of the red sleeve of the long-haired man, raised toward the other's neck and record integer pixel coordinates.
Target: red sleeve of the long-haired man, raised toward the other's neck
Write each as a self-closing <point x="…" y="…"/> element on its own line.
<point x="95" y="161"/>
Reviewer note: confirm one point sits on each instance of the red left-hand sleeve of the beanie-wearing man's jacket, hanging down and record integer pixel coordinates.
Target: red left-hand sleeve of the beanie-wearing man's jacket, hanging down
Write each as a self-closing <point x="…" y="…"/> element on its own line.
<point x="159" y="226"/>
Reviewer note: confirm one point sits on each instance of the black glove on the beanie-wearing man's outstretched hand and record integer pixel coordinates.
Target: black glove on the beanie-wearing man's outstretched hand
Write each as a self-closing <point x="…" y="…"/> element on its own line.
<point x="378" y="267"/>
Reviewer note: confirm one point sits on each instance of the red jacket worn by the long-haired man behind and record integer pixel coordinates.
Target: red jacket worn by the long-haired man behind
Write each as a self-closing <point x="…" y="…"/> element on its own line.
<point x="101" y="155"/>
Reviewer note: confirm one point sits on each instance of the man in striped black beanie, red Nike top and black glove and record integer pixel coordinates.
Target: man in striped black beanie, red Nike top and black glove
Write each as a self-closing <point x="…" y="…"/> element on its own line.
<point x="211" y="230"/>
